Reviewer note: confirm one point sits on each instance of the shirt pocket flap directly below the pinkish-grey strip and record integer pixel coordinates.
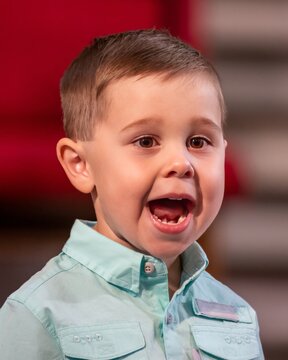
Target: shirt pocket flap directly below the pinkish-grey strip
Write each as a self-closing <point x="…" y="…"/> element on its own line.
<point x="228" y="343"/>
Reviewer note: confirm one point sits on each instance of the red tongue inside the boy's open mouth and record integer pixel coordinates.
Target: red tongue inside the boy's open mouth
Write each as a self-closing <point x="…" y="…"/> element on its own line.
<point x="165" y="208"/>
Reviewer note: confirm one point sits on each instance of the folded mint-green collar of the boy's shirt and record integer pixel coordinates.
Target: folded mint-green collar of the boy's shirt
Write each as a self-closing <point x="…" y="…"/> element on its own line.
<point x="122" y="266"/>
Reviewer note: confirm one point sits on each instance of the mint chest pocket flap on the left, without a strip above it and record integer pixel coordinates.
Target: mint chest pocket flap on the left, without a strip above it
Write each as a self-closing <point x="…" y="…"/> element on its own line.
<point x="118" y="340"/>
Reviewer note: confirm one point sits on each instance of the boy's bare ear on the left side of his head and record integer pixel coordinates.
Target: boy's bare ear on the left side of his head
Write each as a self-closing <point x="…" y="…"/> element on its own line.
<point x="72" y="158"/>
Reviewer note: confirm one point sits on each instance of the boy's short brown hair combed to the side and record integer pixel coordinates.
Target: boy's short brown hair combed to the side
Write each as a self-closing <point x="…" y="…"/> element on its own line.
<point x="110" y="58"/>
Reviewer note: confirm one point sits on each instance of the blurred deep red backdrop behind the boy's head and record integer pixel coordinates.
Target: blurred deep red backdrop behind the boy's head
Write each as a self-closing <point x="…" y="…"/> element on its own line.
<point x="38" y="41"/>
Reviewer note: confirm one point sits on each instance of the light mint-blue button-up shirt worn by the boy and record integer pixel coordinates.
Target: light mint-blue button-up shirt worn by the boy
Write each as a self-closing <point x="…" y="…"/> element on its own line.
<point x="101" y="300"/>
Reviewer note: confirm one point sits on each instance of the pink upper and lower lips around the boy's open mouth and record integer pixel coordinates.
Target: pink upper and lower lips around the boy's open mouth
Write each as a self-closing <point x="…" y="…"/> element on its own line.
<point x="170" y="228"/>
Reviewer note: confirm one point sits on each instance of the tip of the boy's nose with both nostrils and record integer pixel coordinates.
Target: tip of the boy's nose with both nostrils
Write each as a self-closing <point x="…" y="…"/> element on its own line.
<point x="179" y="166"/>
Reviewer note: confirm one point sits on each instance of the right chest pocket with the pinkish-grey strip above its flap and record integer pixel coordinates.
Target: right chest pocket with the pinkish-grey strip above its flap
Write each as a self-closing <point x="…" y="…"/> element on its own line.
<point x="224" y="332"/>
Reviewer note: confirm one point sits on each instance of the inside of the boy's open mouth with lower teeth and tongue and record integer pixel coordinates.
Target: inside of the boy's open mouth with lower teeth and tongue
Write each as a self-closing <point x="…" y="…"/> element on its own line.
<point x="169" y="210"/>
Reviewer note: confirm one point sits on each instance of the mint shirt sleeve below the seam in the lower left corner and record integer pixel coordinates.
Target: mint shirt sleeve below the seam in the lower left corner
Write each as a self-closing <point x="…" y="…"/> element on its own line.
<point x="22" y="336"/>
